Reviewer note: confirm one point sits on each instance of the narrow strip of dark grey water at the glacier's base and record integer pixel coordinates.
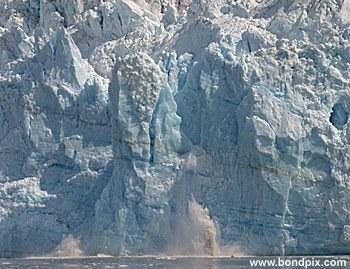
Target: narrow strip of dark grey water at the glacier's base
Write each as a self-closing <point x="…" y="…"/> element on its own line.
<point x="144" y="263"/>
